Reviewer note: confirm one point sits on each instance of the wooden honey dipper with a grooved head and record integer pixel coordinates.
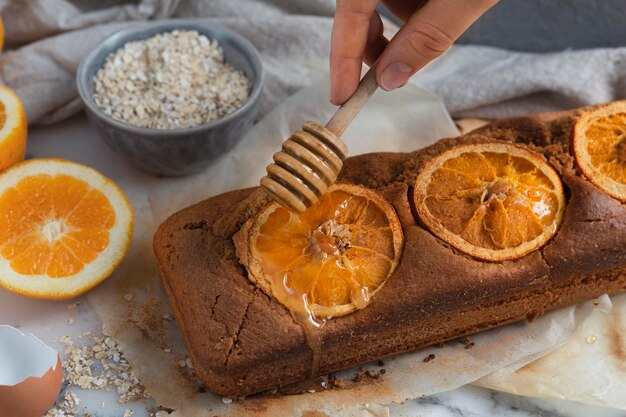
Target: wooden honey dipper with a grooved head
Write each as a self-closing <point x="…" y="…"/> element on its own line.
<point x="311" y="158"/>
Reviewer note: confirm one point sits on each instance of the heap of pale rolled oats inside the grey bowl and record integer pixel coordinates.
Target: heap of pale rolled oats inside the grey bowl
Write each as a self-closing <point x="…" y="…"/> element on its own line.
<point x="172" y="80"/>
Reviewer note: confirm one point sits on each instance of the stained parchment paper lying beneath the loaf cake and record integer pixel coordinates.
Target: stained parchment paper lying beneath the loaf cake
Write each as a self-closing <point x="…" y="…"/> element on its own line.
<point x="401" y="121"/>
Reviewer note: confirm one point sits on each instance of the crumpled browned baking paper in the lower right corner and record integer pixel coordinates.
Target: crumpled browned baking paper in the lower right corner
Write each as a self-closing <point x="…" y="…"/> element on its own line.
<point x="589" y="368"/>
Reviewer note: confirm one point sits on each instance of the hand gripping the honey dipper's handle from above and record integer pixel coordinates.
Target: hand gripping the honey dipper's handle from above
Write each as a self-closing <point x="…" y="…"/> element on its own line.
<point x="431" y="26"/>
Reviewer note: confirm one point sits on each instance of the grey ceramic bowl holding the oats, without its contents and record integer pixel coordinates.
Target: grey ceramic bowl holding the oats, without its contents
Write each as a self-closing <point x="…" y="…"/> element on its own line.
<point x="174" y="152"/>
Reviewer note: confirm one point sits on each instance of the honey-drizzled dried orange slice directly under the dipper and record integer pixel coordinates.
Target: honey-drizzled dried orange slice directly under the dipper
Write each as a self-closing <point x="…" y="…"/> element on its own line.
<point x="329" y="260"/>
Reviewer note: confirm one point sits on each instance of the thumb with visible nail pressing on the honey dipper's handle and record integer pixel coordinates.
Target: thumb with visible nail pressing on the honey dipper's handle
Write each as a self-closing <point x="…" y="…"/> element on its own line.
<point x="427" y="34"/>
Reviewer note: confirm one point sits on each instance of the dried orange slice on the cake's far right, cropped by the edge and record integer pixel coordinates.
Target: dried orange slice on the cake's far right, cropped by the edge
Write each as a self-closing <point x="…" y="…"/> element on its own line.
<point x="599" y="143"/>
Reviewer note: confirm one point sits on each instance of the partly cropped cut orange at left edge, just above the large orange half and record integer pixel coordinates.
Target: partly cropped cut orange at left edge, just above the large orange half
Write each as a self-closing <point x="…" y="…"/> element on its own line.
<point x="12" y="129"/>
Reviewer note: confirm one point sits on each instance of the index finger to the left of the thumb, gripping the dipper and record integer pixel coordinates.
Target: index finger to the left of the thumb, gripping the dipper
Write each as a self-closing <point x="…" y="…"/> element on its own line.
<point x="349" y="39"/>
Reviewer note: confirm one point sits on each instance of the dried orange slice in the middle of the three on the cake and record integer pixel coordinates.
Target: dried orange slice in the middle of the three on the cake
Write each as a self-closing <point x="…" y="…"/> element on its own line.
<point x="493" y="201"/>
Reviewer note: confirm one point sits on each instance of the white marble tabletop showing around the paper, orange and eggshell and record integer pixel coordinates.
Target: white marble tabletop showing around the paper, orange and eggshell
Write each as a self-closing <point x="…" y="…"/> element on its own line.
<point x="48" y="320"/>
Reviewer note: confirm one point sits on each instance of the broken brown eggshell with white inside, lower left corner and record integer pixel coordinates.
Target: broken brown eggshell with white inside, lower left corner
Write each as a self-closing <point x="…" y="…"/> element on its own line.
<point x="30" y="374"/>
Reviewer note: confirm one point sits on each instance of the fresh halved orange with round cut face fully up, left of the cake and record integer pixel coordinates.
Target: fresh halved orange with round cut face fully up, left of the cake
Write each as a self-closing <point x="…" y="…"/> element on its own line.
<point x="64" y="228"/>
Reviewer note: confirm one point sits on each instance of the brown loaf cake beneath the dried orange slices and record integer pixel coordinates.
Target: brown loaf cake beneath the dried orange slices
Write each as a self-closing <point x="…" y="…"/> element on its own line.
<point x="242" y="341"/>
